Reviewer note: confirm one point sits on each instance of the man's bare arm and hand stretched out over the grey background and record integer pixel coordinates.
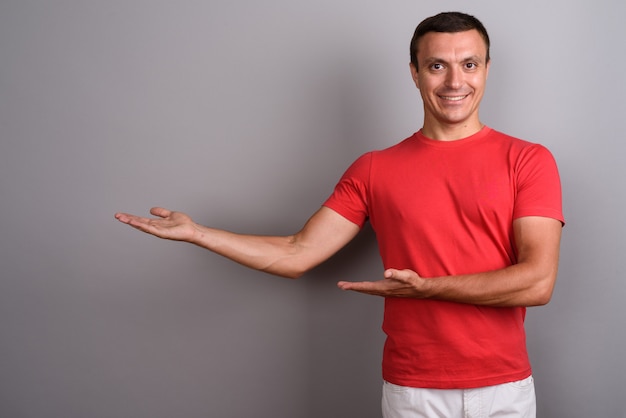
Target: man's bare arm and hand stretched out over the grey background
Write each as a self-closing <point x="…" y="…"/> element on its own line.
<point x="289" y="256"/>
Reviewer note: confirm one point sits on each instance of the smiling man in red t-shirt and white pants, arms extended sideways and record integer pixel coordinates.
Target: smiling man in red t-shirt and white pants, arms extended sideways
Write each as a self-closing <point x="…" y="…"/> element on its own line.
<point x="468" y="222"/>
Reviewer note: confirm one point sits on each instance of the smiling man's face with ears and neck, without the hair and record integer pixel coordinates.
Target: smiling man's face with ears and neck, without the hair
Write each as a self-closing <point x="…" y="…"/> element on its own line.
<point x="451" y="78"/>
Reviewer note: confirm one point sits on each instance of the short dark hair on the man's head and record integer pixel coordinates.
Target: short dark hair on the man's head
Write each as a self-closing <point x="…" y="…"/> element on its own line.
<point x="447" y="22"/>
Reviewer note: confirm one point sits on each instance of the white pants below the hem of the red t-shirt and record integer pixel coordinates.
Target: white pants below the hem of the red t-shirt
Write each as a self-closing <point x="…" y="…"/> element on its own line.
<point x="512" y="400"/>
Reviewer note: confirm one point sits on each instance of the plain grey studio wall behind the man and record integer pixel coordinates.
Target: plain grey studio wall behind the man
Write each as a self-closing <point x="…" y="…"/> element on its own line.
<point x="244" y="114"/>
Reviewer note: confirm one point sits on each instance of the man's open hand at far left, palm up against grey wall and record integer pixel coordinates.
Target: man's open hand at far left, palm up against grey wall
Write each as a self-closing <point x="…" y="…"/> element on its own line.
<point x="168" y="225"/>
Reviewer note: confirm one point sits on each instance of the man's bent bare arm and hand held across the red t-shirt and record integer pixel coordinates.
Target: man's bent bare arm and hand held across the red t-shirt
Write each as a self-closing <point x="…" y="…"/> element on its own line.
<point x="529" y="282"/>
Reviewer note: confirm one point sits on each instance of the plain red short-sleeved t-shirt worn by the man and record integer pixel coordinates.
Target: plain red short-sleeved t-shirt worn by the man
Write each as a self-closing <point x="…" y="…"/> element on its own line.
<point x="446" y="208"/>
